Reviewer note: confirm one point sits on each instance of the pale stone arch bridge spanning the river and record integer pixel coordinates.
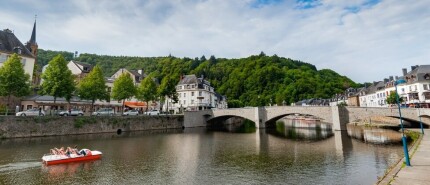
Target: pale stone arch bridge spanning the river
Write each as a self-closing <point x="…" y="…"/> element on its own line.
<point x="338" y="116"/>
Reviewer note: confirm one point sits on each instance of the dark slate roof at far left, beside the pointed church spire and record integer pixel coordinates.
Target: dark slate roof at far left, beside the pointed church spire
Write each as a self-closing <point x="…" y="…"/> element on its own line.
<point x="9" y="42"/>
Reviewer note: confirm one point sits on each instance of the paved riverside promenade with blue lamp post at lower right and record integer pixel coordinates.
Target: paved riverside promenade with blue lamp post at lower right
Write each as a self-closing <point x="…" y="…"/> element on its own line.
<point x="419" y="172"/>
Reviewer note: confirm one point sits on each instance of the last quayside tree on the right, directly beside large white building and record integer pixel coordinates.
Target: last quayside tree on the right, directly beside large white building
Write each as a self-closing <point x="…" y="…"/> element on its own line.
<point x="168" y="89"/>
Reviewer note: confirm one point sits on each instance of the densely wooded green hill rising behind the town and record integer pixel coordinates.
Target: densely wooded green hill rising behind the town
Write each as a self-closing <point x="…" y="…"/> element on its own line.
<point x="256" y="80"/>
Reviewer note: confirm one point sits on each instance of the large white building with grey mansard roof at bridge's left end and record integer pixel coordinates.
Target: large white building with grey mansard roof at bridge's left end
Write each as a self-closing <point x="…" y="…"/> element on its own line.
<point x="195" y="94"/>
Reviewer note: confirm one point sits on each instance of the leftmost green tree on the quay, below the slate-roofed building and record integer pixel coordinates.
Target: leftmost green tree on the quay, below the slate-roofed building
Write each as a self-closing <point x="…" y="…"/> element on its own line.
<point x="13" y="79"/>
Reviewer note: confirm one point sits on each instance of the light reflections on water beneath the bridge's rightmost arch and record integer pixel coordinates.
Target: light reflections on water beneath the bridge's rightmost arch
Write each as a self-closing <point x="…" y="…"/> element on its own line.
<point x="374" y="135"/>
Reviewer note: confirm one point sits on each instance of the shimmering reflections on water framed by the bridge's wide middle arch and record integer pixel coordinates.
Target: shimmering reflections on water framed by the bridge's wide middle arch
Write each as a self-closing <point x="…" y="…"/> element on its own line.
<point x="300" y="129"/>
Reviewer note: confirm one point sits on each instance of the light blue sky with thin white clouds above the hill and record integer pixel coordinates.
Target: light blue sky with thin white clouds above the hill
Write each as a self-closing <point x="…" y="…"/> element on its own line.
<point x="366" y="40"/>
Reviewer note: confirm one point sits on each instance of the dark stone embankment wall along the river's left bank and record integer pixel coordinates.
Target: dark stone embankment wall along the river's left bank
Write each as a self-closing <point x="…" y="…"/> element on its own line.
<point x="16" y="127"/>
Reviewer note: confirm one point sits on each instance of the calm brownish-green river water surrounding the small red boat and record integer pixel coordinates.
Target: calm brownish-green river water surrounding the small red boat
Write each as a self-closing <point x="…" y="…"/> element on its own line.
<point x="200" y="156"/>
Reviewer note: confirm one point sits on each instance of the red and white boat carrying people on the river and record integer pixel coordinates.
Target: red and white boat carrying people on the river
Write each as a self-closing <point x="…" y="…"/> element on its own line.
<point x="50" y="159"/>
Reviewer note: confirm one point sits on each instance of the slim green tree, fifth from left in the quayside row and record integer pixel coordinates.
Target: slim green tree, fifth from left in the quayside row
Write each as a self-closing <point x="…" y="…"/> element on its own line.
<point x="147" y="91"/>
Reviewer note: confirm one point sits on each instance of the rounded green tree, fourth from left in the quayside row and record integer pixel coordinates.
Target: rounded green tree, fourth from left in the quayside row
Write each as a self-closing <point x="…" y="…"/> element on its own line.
<point x="123" y="88"/>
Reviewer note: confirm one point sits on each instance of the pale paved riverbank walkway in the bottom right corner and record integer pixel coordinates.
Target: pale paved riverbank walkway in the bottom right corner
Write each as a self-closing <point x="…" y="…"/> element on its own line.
<point x="417" y="173"/>
